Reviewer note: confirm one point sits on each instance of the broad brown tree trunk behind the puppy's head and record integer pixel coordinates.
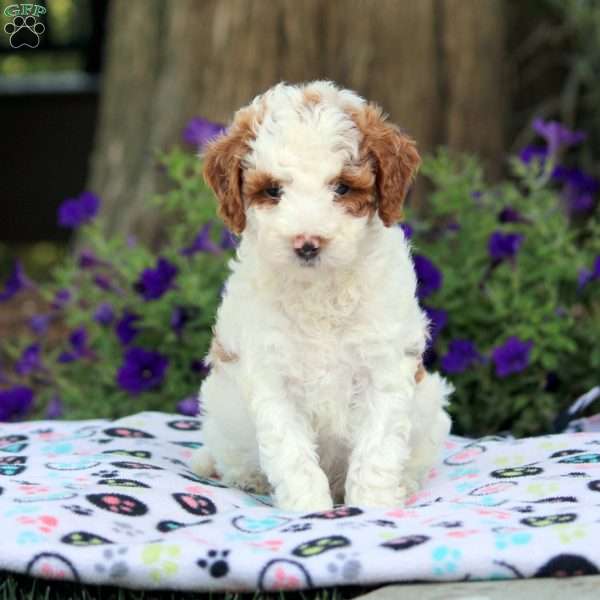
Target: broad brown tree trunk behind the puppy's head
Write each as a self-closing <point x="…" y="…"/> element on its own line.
<point x="434" y="65"/>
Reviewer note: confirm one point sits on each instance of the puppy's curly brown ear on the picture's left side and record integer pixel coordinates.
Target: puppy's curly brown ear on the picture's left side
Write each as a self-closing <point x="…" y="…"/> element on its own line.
<point x="223" y="169"/>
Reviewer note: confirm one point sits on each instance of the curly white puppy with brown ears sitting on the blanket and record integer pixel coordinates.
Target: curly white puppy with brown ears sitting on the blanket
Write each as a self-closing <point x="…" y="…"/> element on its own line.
<point x="317" y="392"/>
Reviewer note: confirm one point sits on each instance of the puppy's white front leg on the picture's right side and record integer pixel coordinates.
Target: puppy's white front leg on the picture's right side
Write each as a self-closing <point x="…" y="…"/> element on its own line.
<point x="381" y="444"/>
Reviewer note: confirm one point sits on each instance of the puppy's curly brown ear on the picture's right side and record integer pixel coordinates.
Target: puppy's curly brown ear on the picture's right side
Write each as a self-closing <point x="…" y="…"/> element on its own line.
<point x="395" y="158"/>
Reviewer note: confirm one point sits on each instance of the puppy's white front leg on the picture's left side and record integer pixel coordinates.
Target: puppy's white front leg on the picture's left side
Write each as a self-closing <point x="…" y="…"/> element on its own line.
<point x="287" y="447"/>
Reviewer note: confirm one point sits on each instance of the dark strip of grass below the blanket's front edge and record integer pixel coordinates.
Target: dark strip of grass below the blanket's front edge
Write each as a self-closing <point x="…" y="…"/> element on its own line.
<point x="21" y="587"/>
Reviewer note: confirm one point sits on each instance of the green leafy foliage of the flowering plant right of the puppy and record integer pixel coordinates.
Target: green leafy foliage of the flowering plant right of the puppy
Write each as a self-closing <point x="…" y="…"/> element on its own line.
<point x="534" y="296"/>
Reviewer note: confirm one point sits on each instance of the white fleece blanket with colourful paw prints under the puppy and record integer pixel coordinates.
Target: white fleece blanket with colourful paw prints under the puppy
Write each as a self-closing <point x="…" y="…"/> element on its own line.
<point x="115" y="502"/>
